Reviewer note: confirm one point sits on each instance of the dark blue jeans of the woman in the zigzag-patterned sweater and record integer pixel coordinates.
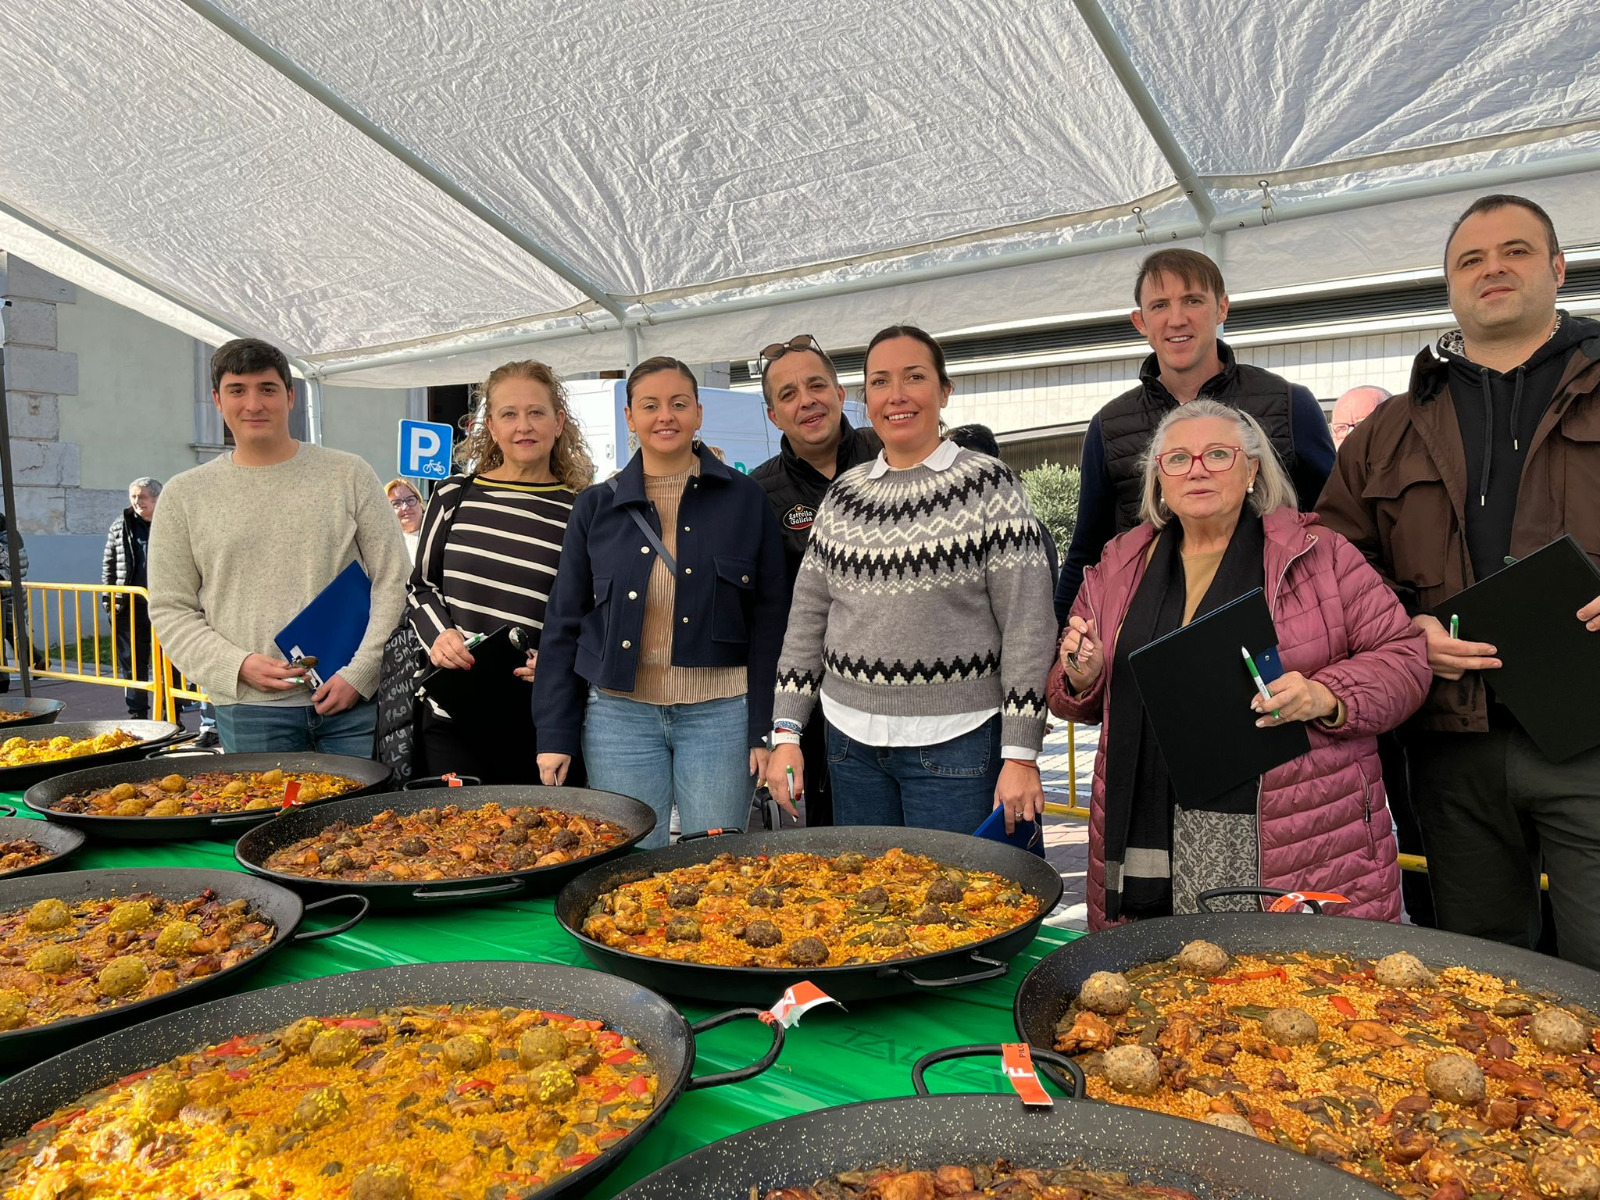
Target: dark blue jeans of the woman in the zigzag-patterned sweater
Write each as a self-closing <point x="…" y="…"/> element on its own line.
<point x="946" y="786"/>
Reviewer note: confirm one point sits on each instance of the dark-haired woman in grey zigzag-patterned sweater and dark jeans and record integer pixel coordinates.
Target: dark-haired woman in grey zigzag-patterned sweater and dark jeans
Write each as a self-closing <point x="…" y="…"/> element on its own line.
<point x="922" y="618"/>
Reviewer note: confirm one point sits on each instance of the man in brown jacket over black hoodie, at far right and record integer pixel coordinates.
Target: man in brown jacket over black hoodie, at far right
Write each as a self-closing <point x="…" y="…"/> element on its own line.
<point x="1492" y="454"/>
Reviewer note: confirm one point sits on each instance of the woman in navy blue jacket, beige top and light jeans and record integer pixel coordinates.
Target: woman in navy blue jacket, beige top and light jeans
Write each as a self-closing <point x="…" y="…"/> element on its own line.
<point x="662" y="638"/>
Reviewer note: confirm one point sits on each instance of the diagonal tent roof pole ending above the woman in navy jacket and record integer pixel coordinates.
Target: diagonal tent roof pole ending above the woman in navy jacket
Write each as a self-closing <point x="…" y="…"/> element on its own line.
<point x="439" y="180"/>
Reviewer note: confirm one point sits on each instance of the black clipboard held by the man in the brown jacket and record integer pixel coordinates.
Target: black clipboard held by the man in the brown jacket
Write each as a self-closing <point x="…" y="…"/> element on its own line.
<point x="1550" y="674"/>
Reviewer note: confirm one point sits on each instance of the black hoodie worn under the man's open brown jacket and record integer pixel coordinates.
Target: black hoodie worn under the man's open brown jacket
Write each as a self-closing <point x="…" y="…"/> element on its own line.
<point x="1498" y="415"/>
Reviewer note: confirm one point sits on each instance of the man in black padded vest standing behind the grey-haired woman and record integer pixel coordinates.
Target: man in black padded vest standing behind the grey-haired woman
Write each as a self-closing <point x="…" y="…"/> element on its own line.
<point x="1182" y="303"/>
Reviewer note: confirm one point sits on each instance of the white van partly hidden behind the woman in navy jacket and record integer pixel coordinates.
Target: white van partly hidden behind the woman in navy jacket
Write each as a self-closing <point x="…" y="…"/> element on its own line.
<point x="735" y="423"/>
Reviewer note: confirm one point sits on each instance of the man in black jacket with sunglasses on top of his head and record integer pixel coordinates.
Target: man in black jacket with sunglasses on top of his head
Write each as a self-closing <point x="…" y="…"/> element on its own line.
<point x="806" y="401"/>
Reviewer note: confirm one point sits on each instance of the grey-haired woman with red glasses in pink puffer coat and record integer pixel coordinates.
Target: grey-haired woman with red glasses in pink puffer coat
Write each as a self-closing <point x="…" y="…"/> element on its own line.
<point x="1222" y="521"/>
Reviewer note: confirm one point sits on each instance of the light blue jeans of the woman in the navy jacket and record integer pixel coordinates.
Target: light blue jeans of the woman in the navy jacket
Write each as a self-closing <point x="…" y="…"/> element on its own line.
<point x="694" y="754"/>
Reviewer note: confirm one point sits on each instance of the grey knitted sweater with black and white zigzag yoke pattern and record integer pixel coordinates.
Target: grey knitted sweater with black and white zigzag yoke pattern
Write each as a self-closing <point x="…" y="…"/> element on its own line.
<point x="924" y="594"/>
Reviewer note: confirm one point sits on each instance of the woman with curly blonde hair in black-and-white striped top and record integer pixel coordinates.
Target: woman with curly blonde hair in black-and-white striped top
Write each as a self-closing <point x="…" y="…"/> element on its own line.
<point x="492" y="543"/>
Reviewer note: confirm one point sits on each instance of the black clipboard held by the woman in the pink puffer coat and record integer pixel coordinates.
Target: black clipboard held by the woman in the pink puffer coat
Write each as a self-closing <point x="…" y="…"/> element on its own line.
<point x="1198" y="692"/>
